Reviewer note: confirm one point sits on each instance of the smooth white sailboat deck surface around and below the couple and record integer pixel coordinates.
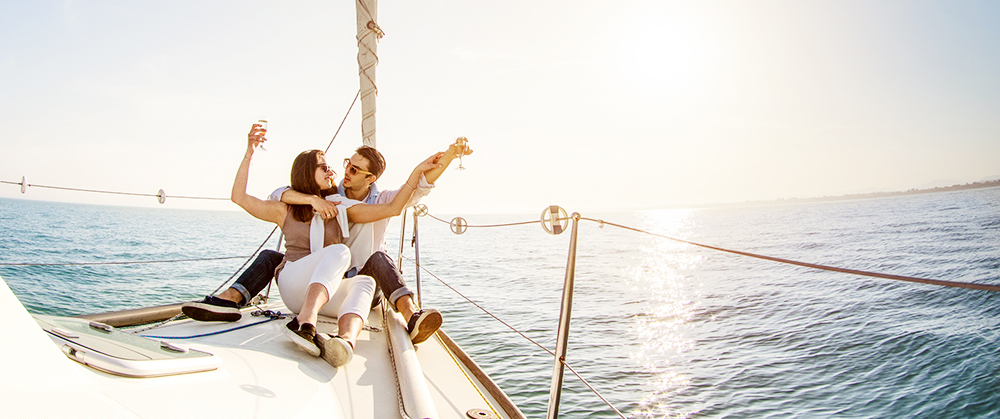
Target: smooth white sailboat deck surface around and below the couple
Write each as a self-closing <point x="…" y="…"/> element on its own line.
<point x="262" y="375"/>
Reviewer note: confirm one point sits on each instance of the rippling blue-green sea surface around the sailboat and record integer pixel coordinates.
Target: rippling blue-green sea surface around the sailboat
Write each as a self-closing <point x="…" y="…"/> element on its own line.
<point x="660" y="328"/>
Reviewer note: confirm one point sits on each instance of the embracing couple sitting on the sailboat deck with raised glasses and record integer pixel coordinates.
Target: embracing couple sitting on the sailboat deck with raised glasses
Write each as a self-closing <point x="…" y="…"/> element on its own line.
<point x="335" y="262"/>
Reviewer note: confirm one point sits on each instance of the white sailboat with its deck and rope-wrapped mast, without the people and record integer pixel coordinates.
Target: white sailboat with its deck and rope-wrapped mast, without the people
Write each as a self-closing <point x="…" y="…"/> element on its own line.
<point x="92" y="366"/>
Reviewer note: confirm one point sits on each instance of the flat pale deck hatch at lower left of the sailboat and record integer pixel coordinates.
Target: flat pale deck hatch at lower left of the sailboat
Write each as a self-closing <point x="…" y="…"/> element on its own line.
<point x="110" y="350"/>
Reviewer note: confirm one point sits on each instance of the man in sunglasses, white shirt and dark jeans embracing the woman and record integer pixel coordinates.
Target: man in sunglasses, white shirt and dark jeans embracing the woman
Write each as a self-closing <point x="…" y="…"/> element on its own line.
<point x="362" y="170"/>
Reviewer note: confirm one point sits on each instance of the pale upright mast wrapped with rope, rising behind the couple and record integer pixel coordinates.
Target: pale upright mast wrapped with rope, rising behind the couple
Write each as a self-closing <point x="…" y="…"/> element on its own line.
<point x="368" y="35"/>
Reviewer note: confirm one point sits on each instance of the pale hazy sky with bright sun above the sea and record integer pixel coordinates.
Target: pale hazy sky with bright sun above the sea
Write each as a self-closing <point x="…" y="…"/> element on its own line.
<point x="590" y="105"/>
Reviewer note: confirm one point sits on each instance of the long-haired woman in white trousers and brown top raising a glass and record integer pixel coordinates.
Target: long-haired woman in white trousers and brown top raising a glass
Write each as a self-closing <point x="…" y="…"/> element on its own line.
<point x="311" y="276"/>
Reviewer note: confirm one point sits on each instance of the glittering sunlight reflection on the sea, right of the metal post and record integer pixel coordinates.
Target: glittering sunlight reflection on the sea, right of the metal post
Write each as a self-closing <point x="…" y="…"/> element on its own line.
<point x="672" y="303"/>
